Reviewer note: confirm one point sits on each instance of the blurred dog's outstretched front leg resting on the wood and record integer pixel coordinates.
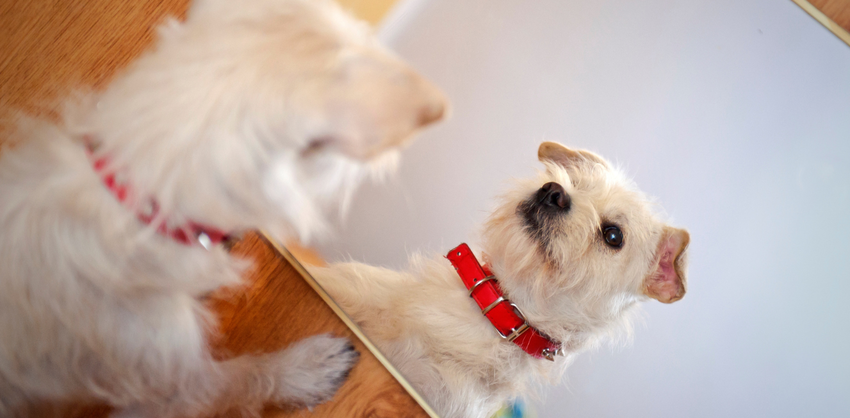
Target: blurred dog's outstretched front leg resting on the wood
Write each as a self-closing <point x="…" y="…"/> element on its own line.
<point x="305" y="374"/>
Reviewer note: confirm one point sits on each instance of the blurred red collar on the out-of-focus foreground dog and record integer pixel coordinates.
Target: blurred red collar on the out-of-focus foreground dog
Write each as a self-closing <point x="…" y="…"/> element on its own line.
<point x="189" y="233"/>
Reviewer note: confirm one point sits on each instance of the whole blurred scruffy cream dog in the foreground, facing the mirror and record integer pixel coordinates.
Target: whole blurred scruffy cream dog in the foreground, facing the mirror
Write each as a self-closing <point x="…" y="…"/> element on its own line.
<point x="250" y="114"/>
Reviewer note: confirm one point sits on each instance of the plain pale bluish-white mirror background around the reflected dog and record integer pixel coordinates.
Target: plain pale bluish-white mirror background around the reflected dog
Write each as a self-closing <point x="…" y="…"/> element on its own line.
<point x="736" y="115"/>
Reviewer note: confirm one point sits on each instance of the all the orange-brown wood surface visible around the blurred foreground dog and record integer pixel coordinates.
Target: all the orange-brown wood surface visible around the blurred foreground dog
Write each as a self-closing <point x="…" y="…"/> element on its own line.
<point x="49" y="48"/>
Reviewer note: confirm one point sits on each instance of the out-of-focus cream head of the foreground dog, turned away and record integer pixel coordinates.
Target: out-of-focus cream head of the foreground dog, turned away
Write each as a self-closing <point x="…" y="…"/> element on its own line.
<point x="281" y="107"/>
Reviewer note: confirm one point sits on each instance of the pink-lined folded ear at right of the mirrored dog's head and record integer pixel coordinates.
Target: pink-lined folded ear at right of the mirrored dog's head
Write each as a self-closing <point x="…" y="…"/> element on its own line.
<point x="666" y="280"/>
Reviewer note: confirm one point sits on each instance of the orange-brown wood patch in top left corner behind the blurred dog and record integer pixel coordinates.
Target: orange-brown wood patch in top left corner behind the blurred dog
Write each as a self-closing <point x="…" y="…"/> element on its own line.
<point x="49" y="48"/>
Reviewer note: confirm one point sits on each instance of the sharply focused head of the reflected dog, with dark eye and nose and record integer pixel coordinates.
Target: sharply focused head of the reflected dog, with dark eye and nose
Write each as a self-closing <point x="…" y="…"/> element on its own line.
<point x="579" y="244"/>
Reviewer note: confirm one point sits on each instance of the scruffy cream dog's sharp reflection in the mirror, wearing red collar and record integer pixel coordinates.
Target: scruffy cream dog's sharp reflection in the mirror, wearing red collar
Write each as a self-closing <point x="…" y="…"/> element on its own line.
<point x="568" y="256"/>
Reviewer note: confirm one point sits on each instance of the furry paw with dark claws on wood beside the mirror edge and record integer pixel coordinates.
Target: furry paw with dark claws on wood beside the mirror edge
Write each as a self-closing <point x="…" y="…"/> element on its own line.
<point x="313" y="369"/>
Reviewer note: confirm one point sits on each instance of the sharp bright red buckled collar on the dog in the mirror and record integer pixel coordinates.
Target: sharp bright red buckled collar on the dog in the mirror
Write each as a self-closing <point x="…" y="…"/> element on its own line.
<point x="509" y="321"/>
